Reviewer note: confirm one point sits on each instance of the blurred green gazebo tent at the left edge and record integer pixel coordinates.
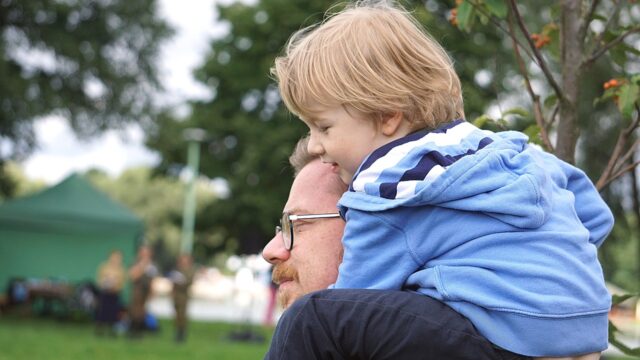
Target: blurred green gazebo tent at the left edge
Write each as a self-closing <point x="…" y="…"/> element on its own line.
<point x="64" y="233"/>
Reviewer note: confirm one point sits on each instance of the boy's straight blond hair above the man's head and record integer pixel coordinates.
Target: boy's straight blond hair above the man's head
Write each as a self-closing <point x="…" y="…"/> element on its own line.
<point x="374" y="58"/>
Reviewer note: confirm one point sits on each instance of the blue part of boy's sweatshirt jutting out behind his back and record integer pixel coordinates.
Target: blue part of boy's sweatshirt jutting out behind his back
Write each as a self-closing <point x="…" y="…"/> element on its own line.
<point x="590" y="208"/>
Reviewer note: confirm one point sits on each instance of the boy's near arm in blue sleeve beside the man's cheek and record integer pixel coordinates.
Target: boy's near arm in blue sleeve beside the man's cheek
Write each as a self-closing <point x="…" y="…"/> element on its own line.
<point x="376" y="255"/>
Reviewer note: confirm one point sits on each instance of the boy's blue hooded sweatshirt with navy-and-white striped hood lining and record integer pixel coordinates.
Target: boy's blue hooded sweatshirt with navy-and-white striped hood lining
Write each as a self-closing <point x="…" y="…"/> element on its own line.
<point x="502" y="232"/>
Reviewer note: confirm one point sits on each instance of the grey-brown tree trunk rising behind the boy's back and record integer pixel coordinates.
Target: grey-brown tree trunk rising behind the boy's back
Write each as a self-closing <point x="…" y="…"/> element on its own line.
<point x="571" y="47"/>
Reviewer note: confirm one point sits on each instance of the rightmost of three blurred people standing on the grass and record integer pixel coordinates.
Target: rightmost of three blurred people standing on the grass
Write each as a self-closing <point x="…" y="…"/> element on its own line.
<point x="182" y="278"/>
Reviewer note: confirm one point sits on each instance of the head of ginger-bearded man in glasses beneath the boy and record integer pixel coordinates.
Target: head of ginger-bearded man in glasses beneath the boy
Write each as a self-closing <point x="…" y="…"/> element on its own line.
<point x="314" y="265"/>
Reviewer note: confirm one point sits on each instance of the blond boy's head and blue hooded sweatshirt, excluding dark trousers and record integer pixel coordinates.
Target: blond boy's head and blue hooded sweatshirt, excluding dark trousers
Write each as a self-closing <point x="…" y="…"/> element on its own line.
<point x="502" y="232"/>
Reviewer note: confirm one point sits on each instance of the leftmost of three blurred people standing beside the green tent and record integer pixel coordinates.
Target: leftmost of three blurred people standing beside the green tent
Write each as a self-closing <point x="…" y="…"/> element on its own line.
<point x="110" y="280"/>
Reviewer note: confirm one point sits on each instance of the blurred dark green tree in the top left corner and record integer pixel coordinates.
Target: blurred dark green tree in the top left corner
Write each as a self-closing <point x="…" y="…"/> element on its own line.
<point x="91" y="62"/>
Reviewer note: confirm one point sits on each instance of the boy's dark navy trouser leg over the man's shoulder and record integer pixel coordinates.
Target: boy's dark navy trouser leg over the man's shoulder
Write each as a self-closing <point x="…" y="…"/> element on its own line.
<point x="377" y="324"/>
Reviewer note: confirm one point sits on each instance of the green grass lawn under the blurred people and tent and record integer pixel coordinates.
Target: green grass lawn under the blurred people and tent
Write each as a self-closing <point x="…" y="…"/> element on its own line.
<point x="29" y="338"/>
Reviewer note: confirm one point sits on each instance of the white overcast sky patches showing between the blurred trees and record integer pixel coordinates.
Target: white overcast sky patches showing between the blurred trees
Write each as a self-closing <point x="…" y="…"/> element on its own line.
<point x="60" y="153"/>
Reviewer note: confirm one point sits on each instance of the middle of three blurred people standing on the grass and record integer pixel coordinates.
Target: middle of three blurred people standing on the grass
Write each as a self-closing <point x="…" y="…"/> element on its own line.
<point x="141" y="274"/>
